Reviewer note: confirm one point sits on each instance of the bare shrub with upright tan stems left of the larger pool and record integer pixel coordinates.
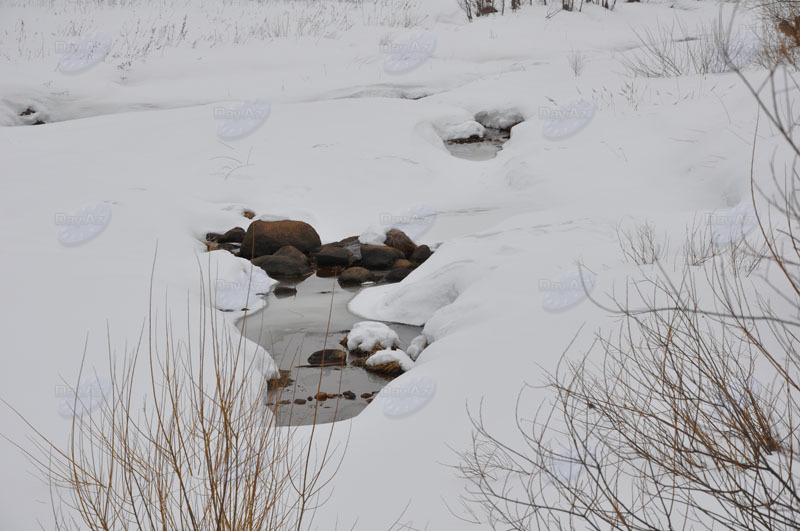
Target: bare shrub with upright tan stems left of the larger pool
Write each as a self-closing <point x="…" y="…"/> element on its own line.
<point x="199" y="450"/>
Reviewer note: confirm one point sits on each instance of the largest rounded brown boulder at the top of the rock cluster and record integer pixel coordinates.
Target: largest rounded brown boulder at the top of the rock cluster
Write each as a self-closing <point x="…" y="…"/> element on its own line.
<point x="266" y="237"/>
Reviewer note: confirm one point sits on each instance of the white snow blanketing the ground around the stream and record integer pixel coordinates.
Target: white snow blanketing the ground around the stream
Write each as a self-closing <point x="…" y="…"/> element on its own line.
<point x="345" y="144"/>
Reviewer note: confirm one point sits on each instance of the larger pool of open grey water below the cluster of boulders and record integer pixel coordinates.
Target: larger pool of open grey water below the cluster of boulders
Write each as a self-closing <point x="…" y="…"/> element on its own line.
<point x="294" y="325"/>
